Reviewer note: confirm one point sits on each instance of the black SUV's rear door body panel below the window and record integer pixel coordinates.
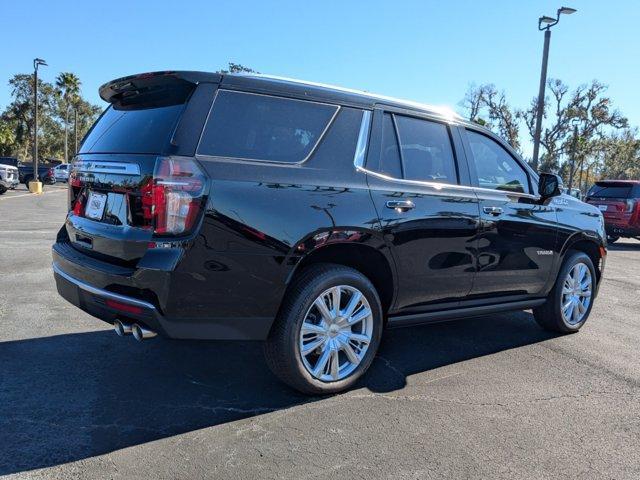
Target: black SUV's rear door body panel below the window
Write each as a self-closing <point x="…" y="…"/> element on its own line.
<point x="433" y="243"/>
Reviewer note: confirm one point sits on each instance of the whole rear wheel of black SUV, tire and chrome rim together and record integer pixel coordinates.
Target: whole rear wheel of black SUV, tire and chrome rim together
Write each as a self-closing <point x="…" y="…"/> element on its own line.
<point x="327" y="331"/>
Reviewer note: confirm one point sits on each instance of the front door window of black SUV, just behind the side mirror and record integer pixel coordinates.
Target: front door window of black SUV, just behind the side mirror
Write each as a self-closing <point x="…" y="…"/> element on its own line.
<point x="495" y="167"/>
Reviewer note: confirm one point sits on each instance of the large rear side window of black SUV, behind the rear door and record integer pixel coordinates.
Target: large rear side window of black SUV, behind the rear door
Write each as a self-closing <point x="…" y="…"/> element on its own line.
<point x="261" y="127"/>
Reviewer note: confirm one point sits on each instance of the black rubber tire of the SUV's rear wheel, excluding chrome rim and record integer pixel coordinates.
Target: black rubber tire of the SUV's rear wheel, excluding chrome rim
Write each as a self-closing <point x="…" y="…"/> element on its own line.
<point x="282" y="350"/>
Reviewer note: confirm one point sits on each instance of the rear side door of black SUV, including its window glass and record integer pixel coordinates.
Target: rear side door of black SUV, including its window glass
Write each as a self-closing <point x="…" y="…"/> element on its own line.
<point x="429" y="221"/>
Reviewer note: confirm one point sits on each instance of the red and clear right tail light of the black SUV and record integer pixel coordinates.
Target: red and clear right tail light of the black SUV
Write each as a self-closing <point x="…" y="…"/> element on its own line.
<point x="172" y="199"/>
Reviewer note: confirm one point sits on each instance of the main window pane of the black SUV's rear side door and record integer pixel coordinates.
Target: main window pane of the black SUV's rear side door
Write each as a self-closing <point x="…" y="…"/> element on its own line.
<point x="427" y="154"/>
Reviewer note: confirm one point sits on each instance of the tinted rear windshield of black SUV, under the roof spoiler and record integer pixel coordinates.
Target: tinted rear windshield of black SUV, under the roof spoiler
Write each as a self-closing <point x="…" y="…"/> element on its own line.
<point x="145" y="130"/>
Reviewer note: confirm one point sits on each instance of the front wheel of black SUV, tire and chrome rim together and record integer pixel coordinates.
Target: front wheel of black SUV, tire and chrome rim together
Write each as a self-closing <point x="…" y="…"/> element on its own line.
<point x="570" y="301"/>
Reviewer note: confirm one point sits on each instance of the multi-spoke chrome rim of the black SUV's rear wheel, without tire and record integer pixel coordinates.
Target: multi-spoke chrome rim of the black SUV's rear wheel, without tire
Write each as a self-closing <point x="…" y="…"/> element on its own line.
<point x="336" y="333"/>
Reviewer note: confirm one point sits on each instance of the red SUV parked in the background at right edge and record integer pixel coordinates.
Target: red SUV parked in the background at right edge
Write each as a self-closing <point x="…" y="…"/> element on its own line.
<point x="619" y="202"/>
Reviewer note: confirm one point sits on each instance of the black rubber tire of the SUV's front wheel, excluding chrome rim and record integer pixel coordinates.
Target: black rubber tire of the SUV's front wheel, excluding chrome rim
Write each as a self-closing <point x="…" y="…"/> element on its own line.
<point x="549" y="315"/>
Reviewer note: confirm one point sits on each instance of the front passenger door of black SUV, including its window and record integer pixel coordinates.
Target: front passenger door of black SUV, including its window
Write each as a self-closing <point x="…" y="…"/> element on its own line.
<point x="517" y="235"/>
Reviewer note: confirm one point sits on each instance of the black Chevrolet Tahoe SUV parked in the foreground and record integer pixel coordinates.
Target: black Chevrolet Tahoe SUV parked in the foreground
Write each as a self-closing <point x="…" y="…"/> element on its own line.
<point x="204" y="206"/>
